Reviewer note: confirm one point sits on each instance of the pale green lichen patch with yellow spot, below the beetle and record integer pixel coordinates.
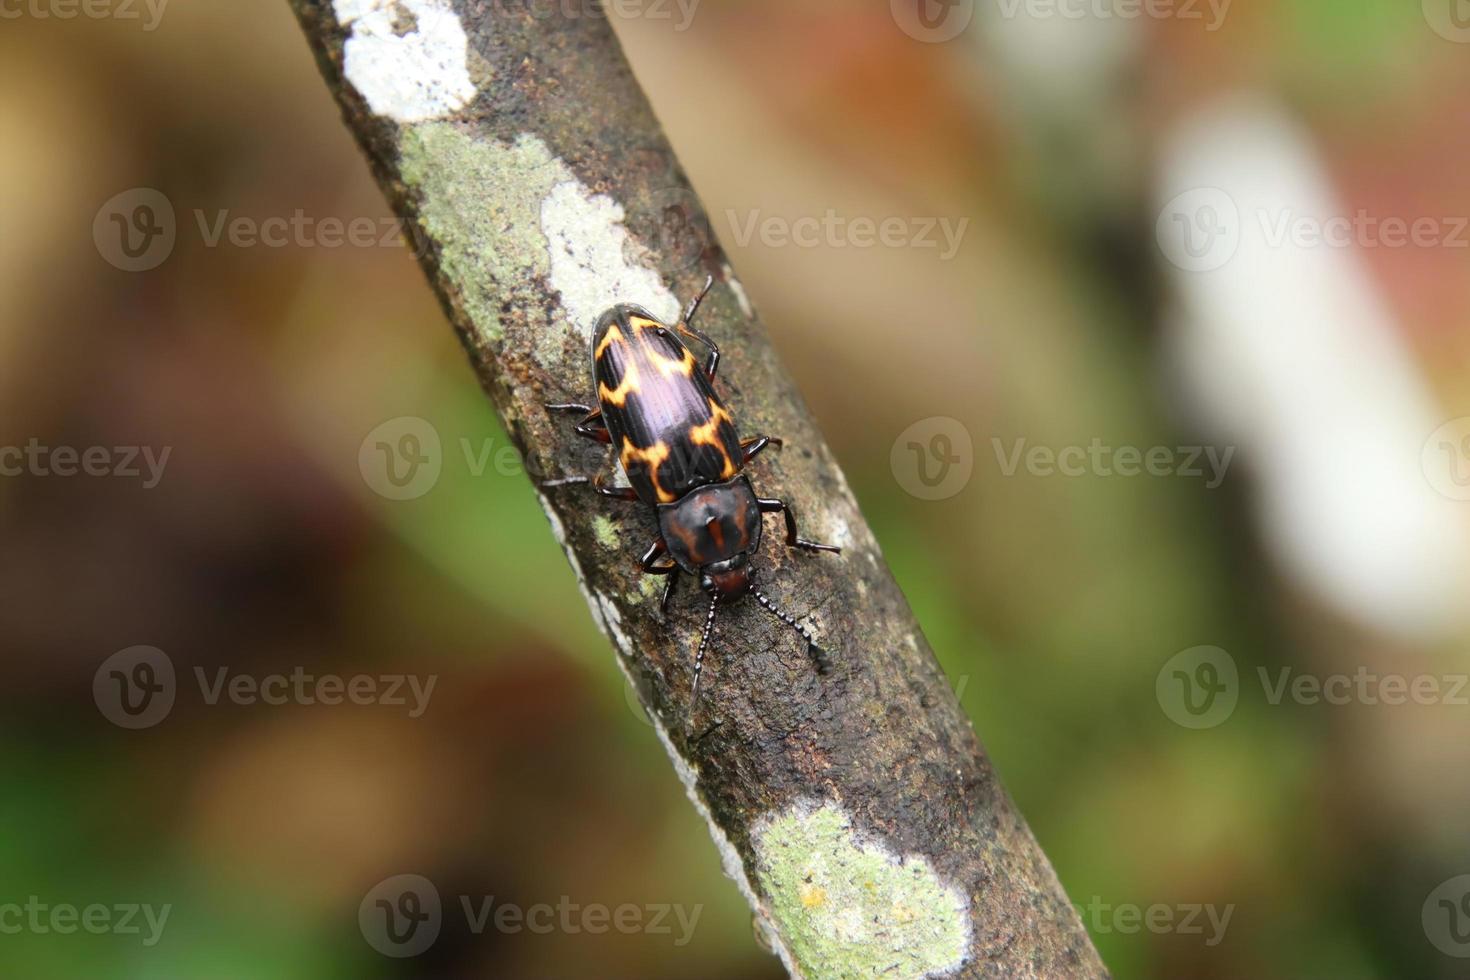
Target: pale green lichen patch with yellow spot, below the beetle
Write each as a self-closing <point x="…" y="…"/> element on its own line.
<point x="850" y="907"/>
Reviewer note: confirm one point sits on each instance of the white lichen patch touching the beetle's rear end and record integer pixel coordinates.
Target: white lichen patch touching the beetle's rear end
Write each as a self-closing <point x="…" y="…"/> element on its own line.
<point x="595" y="264"/>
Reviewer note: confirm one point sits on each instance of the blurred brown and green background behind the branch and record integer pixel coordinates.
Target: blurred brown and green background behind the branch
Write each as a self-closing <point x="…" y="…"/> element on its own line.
<point x="1318" y="834"/>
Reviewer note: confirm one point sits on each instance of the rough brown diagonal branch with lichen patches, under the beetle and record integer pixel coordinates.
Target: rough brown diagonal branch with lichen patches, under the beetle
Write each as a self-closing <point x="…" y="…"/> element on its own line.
<point x="855" y="809"/>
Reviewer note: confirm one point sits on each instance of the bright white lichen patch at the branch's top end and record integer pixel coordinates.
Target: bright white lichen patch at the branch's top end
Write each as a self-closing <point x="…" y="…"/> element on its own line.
<point x="409" y="60"/>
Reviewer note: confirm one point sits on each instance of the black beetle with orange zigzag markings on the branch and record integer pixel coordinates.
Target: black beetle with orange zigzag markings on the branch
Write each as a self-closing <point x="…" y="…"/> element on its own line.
<point x="678" y="446"/>
